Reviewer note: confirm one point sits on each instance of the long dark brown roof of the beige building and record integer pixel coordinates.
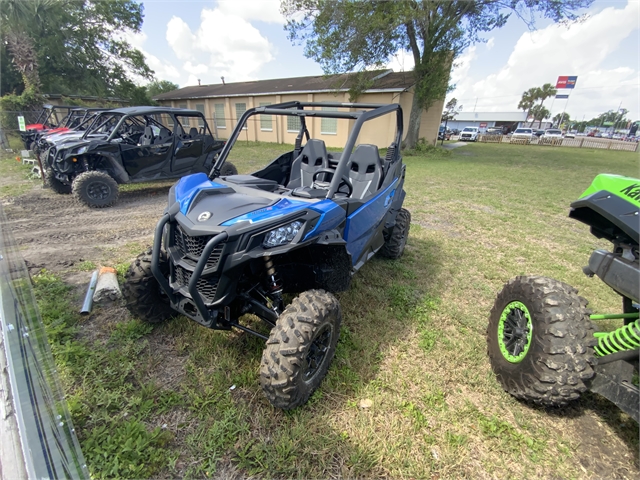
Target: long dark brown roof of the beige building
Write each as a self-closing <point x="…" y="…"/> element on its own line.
<point x="383" y="81"/>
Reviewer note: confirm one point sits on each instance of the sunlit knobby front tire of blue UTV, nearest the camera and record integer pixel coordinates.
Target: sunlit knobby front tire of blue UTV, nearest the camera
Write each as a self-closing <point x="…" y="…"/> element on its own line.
<point x="300" y="349"/>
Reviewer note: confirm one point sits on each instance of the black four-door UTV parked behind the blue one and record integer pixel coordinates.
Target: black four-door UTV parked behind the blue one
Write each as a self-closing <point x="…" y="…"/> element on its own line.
<point x="131" y="145"/>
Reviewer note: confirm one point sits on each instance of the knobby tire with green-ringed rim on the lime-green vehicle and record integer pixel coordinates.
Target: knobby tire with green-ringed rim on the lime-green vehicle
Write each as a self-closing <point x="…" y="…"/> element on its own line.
<point x="540" y="341"/>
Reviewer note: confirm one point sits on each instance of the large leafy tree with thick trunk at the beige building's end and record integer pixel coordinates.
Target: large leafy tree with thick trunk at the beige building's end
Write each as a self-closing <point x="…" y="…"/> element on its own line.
<point x="353" y="35"/>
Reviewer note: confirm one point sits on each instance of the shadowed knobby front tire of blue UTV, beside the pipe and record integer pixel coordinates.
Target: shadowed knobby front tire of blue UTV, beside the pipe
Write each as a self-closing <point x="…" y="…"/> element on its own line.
<point x="142" y="293"/>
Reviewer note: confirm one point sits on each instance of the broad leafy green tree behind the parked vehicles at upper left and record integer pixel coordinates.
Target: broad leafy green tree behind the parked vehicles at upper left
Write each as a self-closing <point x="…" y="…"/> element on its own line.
<point x="80" y="45"/>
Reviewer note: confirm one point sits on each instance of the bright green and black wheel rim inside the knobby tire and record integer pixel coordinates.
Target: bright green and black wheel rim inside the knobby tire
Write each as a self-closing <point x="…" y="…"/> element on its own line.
<point x="515" y="332"/>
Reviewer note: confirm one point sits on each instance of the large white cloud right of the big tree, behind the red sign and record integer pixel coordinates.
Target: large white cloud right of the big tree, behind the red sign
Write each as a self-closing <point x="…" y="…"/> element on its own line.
<point x="581" y="49"/>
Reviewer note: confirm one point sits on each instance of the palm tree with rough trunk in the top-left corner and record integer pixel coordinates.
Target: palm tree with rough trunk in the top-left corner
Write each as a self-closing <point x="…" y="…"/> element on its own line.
<point x="16" y="17"/>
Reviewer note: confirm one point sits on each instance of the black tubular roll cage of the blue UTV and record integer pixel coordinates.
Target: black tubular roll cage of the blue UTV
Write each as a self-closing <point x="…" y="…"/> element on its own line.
<point x="369" y="111"/>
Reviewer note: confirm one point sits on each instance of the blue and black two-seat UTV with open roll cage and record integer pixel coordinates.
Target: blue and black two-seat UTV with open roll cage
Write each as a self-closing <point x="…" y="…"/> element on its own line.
<point x="231" y="245"/>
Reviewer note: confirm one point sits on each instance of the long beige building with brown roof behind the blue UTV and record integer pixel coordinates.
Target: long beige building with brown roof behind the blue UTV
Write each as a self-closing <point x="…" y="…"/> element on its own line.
<point x="222" y="105"/>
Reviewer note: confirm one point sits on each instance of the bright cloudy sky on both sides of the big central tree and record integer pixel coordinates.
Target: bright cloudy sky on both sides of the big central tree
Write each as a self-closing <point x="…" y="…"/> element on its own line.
<point x="244" y="40"/>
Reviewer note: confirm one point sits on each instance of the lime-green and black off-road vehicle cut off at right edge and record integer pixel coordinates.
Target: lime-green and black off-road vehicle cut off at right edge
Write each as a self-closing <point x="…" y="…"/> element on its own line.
<point x="542" y="342"/>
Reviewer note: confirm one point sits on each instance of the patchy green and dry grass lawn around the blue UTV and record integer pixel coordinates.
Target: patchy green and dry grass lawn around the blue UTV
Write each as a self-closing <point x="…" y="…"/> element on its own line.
<point x="412" y="345"/>
